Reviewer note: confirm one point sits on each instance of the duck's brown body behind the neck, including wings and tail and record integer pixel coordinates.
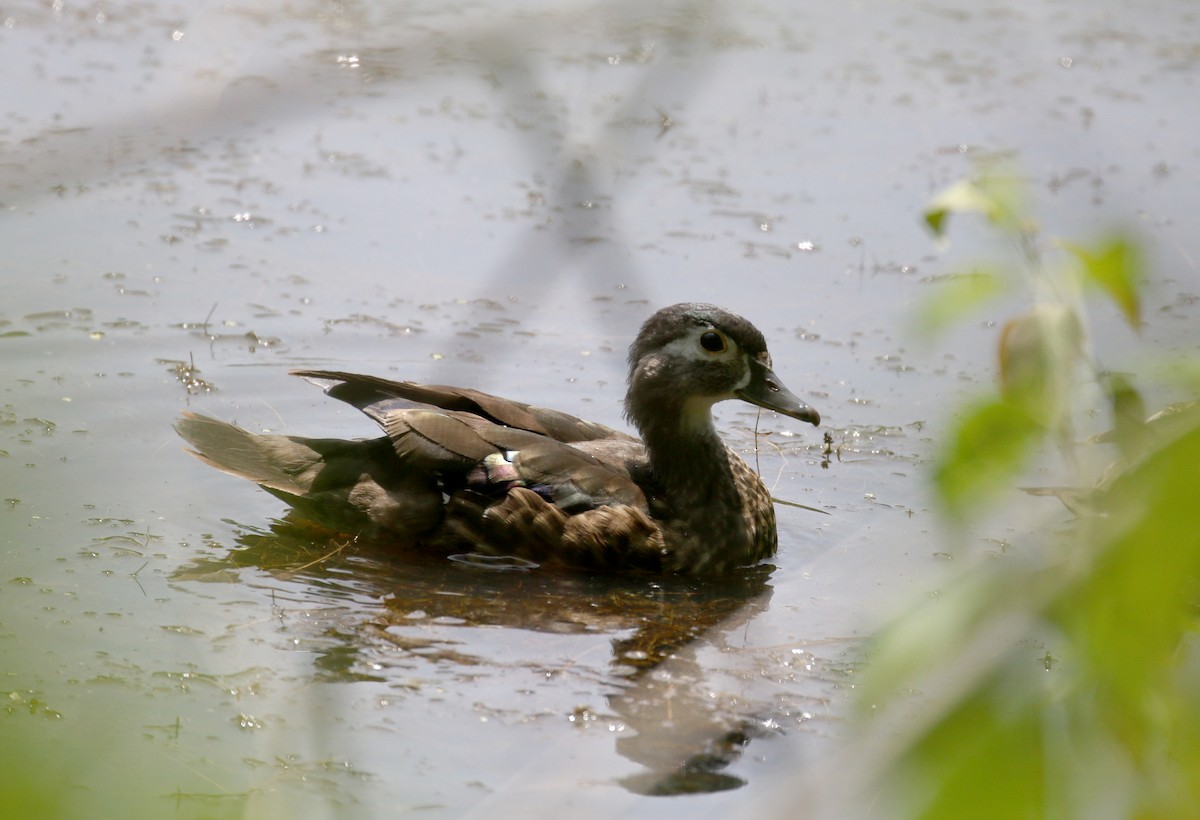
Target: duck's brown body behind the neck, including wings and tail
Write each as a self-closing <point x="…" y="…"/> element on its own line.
<point x="458" y="469"/>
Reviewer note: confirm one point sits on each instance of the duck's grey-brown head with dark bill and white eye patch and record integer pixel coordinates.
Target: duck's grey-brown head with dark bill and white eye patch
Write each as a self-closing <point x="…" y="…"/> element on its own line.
<point x="689" y="357"/>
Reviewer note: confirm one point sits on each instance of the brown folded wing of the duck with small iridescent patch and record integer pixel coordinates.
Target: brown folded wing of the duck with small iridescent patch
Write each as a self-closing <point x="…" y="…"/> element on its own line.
<point x="489" y="445"/>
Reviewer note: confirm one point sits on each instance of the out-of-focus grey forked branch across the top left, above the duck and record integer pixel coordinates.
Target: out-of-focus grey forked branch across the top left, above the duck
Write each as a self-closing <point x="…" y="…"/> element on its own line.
<point x="209" y="88"/>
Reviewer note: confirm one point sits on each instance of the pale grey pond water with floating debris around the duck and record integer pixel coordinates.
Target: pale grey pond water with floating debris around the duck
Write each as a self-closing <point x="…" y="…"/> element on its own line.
<point x="197" y="197"/>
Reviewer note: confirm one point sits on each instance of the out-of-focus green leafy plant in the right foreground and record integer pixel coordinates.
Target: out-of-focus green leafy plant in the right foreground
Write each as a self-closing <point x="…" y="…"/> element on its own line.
<point x="1061" y="681"/>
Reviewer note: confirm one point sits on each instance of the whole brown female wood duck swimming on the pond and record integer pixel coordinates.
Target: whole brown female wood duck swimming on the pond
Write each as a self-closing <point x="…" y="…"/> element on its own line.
<point x="459" y="468"/>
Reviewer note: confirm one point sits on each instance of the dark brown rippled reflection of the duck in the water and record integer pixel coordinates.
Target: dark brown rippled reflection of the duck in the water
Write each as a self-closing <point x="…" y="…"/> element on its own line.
<point x="379" y="604"/>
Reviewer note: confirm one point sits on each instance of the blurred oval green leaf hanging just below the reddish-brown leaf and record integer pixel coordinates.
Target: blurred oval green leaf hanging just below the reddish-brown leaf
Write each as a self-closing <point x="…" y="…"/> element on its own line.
<point x="986" y="452"/>
